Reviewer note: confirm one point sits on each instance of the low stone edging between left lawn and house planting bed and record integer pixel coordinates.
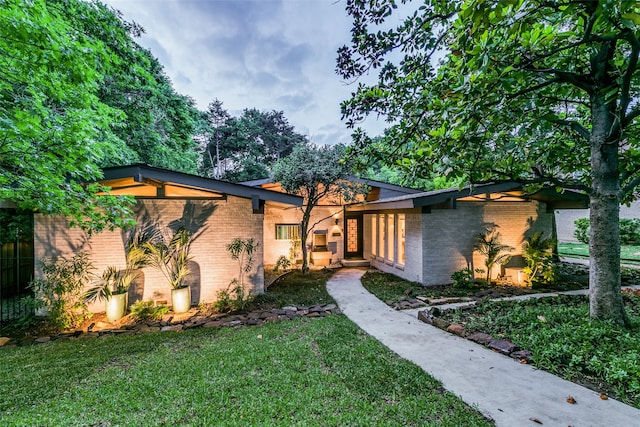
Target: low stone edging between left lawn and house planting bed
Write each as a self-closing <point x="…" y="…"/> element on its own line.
<point x="170" y="322"/>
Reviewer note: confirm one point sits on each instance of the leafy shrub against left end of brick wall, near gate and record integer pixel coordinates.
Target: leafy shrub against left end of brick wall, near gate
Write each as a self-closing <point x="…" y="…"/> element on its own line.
<point x="60" y="291"/>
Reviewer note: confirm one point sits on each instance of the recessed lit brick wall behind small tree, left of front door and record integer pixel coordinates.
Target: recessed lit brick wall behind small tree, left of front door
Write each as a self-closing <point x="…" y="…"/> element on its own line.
<point x="276" y="248"/>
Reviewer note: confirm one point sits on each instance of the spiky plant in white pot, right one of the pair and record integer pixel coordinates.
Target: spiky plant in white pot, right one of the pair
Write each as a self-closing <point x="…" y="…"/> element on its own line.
<point x="172" y="259"/>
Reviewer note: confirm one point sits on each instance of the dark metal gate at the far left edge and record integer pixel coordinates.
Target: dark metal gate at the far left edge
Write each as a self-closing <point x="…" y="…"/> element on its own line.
<point x="16" y="265"/>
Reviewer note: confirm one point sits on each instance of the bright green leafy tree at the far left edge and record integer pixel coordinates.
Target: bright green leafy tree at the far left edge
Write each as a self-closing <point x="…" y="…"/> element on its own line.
<point x="54" y="131"/>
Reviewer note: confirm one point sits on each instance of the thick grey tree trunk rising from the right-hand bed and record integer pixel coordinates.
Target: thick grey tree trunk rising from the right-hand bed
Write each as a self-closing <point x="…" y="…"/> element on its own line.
<point x="605" y="297"/>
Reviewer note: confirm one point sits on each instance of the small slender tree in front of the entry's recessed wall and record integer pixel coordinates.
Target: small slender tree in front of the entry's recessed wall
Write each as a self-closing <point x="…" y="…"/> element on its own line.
<point x="316" y="174"/>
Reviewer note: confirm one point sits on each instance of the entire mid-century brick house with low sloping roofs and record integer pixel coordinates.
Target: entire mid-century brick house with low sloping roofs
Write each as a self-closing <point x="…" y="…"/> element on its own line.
<point x="420" y="236"/>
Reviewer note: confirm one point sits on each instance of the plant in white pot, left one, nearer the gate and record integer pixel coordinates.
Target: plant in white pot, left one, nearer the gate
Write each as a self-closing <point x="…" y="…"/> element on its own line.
<point x="113" y="285"/>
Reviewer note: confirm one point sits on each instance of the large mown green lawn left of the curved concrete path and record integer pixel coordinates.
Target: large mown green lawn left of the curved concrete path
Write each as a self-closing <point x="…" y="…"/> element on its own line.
<point x="322" y="371"/>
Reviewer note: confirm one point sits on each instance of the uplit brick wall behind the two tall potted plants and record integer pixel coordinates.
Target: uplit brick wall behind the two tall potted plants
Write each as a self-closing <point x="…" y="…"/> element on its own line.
<point x="213" y="223"/>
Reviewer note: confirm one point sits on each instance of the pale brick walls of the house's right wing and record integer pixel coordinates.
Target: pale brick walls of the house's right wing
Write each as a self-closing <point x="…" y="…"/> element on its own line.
<point x="441" y="242"/>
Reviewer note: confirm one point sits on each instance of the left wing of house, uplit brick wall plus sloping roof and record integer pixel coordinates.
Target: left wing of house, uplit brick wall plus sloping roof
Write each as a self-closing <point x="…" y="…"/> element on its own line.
<point x="214" y="212"/>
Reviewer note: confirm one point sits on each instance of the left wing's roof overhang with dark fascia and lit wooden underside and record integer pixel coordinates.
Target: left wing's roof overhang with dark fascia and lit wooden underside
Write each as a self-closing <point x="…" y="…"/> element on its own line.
<point x="145" y="181"/>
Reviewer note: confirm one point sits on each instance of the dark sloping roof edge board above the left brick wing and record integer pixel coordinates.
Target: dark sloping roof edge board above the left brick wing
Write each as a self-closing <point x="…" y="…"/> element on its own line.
<point x="141" y="171"/>
